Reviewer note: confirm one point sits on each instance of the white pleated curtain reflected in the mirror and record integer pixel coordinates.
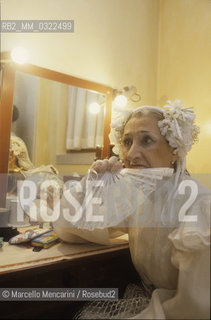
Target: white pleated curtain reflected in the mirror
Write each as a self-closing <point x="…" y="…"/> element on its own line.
<point x="84" y="129"/>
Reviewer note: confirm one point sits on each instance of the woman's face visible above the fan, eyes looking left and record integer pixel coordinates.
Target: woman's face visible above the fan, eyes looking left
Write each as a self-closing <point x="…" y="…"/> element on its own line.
<point x="143" y="146"/>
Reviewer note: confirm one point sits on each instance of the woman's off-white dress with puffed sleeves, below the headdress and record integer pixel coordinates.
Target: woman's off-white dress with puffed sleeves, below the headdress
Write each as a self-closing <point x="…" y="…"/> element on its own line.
<point x="171" y="255"/>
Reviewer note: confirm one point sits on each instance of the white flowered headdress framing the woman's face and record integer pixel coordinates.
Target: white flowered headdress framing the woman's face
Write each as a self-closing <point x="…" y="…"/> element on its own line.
<point x="177" y="126"/>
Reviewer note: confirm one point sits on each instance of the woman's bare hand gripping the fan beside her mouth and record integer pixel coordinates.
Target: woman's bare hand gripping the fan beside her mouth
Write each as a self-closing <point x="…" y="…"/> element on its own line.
<point x="112" y="165"/>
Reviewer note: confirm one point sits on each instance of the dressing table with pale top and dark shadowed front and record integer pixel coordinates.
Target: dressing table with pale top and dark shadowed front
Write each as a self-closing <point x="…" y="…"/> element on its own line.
<point x="62" y="266"/>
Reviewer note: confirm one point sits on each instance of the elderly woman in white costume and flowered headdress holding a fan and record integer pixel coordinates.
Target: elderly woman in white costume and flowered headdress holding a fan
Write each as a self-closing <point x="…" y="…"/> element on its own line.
<point x="166" y="216"/>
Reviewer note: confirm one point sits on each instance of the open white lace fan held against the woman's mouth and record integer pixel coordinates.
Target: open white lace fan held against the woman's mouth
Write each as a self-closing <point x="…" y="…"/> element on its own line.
<point x="111" y="198"/>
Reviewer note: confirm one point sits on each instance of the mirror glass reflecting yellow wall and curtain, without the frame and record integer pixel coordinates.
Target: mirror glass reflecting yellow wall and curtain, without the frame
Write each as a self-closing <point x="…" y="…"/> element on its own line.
<point x="53" y="118"/>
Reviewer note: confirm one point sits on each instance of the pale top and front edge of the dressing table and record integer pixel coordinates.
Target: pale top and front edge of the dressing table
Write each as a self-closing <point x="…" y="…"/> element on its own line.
<point x="18" y="257"/>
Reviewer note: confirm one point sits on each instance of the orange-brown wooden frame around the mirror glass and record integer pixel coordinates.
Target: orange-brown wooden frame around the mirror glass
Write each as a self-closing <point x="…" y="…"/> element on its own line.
<point x="6" y="104"/>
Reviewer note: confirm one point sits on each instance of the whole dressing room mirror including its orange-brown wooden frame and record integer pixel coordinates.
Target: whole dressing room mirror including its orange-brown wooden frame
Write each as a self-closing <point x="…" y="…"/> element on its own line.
<point x="43" y="116"/>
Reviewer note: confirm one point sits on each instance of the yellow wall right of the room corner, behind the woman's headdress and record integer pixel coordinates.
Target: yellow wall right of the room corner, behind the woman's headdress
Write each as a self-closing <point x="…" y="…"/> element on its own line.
<point x="184" y="69"/>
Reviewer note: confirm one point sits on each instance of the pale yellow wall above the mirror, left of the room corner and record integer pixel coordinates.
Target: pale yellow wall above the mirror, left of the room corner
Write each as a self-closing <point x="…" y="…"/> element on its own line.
<point x="114" y="43"/>
